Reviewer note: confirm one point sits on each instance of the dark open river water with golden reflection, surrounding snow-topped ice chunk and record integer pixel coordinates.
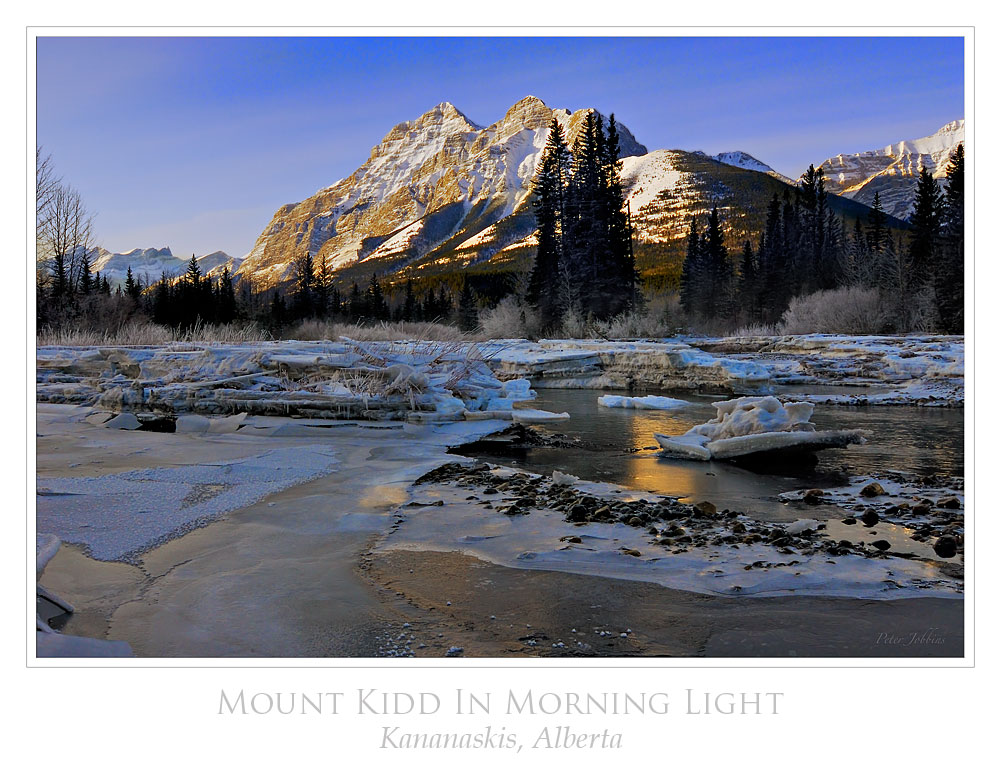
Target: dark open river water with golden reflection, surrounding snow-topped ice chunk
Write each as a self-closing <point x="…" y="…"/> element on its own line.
<point x="618" y="449"/>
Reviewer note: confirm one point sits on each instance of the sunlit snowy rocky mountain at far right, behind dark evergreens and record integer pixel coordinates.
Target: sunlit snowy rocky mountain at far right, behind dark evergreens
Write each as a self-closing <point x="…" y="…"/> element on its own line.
<point x="893" y="171"/>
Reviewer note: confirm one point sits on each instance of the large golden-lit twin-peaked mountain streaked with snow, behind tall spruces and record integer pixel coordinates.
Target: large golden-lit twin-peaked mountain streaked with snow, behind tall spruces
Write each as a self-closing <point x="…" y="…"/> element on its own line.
<point x="440" y="186"/>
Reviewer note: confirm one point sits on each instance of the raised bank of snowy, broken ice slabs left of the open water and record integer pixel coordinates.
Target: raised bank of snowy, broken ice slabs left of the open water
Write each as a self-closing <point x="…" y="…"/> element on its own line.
<point x="420" y="381"/>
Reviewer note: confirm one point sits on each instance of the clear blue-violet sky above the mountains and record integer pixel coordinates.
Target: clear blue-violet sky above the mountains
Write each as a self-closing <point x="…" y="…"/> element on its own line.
<point x="195" y="143"/>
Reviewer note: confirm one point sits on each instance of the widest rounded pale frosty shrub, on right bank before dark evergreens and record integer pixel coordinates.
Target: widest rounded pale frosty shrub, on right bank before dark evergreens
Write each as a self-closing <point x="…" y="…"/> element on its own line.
<point x="851" y="311"/>
